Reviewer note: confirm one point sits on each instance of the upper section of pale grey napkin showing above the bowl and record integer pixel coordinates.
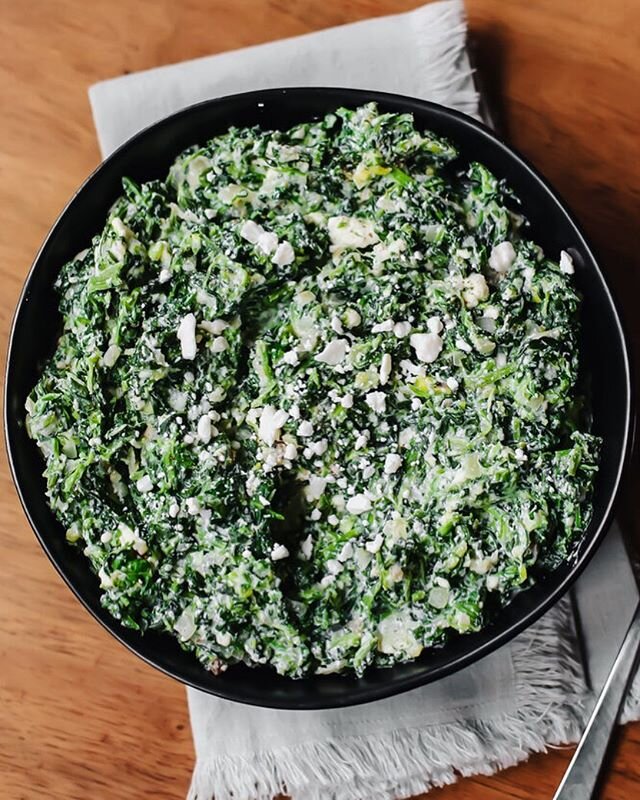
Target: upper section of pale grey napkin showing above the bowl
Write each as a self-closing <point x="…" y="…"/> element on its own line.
<point x="420" y="54"/>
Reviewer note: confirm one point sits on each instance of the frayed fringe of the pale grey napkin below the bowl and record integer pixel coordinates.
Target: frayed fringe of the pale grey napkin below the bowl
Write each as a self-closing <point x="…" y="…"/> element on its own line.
<point x="549" y="690"/>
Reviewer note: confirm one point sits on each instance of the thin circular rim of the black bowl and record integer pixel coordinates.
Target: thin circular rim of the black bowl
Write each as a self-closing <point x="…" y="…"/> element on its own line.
<point x="590" y="545"/>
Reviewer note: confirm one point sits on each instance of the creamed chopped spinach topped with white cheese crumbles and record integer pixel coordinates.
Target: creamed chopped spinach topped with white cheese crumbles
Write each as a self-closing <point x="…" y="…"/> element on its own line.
<point x="316" y="400"/>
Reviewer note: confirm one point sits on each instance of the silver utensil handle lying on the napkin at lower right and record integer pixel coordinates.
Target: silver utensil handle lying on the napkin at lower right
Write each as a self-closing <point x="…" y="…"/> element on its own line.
<point x="580" y="781"/>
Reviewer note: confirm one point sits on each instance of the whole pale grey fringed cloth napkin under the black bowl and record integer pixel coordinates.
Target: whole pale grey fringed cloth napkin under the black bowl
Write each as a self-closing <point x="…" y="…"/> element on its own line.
<point x="535" y="691"/>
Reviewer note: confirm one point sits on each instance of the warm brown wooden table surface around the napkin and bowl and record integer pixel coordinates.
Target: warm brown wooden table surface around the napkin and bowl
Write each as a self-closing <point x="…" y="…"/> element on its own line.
<point x="80" y="717"/>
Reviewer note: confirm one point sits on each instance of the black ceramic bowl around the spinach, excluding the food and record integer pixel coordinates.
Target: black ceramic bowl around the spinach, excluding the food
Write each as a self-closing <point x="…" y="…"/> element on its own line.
<point x="149" y="155"/>
